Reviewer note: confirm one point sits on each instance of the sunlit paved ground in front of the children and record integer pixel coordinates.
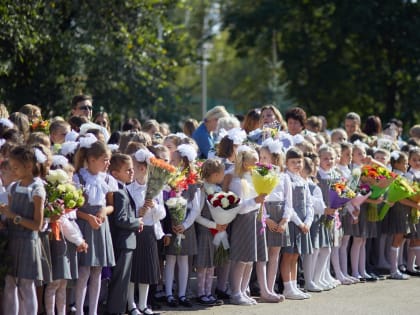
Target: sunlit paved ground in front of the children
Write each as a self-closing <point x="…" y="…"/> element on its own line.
<point x="387" y="297"/>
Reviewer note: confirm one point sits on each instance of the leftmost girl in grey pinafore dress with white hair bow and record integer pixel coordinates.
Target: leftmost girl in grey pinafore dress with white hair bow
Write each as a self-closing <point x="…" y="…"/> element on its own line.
<point x="24" y="214"/>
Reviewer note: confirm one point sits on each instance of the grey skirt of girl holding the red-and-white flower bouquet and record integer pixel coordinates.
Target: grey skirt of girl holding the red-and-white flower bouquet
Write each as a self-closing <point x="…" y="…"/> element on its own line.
<point x="205" y="247"/>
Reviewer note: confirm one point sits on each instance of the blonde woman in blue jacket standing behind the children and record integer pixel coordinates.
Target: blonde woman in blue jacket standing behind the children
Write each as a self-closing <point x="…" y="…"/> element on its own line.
<point x="203" y="135"/>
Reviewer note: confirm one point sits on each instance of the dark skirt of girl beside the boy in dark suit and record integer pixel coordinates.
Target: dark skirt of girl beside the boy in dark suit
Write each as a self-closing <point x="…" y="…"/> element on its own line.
<point x="145" y="266"/>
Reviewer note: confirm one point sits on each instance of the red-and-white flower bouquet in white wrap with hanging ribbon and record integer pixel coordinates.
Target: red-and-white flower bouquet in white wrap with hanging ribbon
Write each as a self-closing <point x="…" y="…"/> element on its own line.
<point x="223" y="208"/>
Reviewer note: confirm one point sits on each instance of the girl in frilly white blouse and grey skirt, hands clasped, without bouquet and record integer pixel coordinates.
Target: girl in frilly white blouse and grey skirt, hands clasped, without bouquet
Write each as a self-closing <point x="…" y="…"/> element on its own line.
<point x="92" y="161"/>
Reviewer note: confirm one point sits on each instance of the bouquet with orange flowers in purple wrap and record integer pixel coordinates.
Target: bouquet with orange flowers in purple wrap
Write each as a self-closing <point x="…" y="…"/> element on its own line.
<point x="338" y="195"/>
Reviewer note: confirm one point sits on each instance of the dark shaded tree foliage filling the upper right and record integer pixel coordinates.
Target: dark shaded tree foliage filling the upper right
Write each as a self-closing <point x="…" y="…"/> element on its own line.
<point x="338" y="55"/>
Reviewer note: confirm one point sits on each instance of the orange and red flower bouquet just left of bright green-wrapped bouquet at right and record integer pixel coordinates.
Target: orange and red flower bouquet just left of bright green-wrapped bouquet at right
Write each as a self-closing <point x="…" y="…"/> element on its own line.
<point x="379" y="179"/>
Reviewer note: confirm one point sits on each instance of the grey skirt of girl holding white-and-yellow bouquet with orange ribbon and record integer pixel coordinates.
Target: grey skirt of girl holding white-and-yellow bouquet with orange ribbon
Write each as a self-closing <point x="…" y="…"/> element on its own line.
<point x="64" y="260"/>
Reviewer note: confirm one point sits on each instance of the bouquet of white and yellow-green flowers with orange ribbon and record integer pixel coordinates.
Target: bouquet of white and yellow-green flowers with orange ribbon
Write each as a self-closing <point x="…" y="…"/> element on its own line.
<point x="62" y="197"/>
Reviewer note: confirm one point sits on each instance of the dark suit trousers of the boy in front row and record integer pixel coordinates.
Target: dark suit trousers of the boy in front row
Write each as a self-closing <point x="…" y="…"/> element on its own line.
<point x="118" y="286"/>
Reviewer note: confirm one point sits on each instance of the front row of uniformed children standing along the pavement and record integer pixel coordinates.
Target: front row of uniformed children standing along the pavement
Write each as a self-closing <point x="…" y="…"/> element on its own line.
<point x="297" y="209"/>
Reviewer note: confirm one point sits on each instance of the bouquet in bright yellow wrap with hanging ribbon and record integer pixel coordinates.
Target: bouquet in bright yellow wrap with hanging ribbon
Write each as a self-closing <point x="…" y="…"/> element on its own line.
<point x="264" y="178"/>
